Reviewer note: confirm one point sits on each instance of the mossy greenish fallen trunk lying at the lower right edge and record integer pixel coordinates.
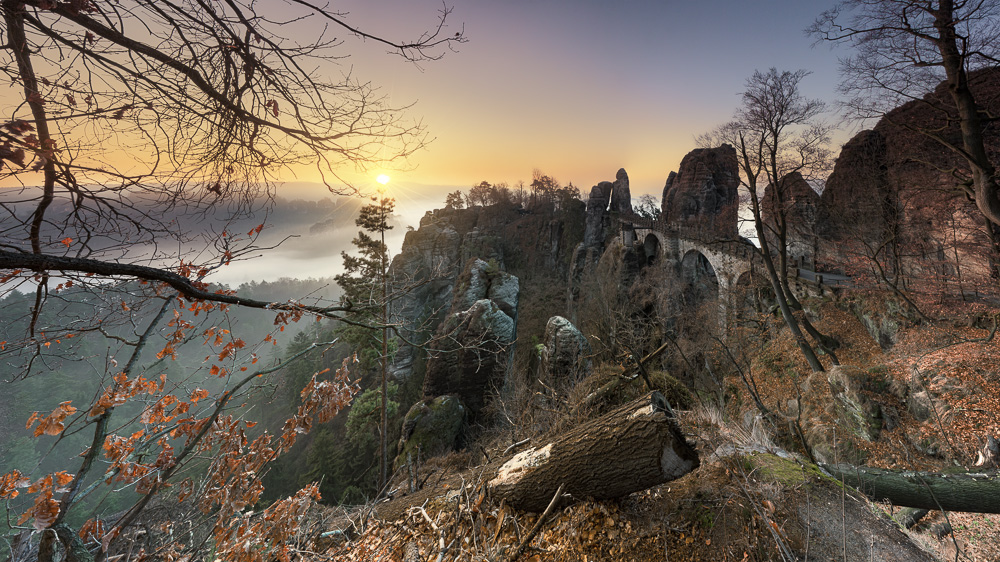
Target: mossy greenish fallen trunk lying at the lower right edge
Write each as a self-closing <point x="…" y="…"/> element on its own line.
<point x="974" y="492"/>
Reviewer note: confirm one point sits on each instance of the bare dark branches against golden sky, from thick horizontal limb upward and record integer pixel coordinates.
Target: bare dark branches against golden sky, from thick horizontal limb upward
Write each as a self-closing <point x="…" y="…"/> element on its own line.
<point x="135" y="113"/>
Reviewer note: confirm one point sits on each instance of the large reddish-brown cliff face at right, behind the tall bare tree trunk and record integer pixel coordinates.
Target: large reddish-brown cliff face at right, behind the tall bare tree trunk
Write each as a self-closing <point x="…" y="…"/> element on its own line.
<point x="898" y="191"/>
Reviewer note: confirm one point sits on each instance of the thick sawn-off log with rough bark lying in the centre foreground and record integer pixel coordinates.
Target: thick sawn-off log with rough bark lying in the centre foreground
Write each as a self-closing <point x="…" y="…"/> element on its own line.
<point x="632" y="448"/>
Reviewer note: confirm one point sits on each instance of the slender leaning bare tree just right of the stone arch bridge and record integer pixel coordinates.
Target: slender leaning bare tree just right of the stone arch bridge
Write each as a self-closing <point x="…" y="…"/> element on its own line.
<point x="776" y="133"/>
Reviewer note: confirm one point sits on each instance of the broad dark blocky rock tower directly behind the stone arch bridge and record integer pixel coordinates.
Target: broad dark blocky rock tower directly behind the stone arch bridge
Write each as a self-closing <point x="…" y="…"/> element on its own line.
<point x="702" y="194"/>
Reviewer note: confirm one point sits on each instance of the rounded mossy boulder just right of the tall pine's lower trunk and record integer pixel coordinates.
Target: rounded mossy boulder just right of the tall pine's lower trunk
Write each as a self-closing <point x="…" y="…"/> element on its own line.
<point x="432" y="427"/>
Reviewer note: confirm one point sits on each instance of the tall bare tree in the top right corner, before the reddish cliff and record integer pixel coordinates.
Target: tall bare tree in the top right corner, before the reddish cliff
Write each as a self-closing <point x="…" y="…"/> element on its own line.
<point x="904" y="49"/>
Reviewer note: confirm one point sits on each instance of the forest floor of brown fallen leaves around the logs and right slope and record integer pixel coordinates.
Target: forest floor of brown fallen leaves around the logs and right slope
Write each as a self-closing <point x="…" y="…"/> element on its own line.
<point x="749" y="500"/>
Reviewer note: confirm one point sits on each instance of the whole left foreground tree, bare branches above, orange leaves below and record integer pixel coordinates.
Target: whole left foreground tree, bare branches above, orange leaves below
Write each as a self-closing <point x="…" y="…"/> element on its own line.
<point x="132" y="122"/>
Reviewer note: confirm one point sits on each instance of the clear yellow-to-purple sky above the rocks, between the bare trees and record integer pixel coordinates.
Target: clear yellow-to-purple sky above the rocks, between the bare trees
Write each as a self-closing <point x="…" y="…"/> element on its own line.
<point x="579" y="89"/>
